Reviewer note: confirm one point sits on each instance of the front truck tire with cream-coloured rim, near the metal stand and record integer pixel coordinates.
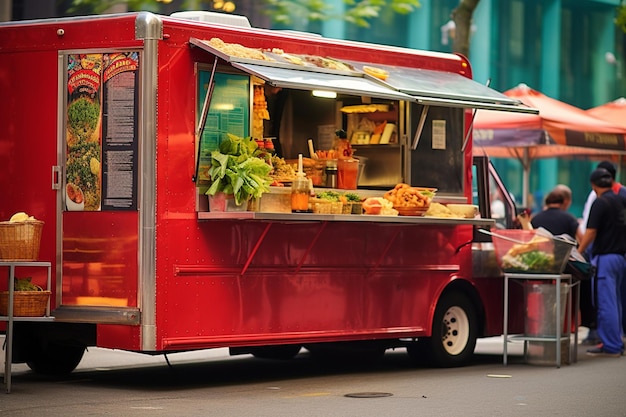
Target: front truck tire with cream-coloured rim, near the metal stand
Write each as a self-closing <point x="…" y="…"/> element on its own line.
<point x="453" y="336"/>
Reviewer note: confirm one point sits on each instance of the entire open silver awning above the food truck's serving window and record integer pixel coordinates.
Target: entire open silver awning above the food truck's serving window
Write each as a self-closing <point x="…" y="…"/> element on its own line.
<point x="427" y="87"/>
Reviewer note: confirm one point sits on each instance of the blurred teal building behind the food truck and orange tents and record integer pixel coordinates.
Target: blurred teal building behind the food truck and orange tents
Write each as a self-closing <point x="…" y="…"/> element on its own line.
<point x="570" y="50"/>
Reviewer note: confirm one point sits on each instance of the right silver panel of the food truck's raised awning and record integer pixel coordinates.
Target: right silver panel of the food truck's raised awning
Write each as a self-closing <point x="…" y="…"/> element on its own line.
<point x="430" y="87"/>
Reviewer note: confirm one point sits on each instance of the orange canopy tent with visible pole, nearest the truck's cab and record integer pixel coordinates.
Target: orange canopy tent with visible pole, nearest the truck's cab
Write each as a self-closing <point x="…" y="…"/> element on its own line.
<point x="558" y="130"/>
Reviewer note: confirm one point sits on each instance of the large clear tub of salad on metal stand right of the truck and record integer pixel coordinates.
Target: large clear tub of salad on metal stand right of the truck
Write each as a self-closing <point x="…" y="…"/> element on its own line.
<point x="526" y="251"/>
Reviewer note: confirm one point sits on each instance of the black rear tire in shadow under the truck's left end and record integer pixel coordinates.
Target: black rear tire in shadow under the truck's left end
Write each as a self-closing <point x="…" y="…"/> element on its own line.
<point x="56" y="359"/>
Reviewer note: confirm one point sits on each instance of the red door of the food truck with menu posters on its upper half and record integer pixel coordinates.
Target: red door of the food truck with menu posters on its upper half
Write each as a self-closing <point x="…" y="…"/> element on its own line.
<point x="99" y="216"/>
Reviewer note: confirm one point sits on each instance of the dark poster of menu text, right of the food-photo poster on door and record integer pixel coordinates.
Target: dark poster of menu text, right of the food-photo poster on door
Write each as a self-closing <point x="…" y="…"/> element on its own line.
<point x="120" y="98"/>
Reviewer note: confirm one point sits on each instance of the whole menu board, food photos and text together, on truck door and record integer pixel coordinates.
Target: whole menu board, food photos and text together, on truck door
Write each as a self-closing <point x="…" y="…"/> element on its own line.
<point x="101" y="131"/>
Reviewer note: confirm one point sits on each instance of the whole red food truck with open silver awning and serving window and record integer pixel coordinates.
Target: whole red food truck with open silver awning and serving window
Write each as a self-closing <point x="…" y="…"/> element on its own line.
<point x="122" y="111"/>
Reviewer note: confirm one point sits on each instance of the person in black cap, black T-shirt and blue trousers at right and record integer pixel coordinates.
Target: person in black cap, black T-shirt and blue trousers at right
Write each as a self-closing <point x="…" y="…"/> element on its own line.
<point x="605" y="233"/>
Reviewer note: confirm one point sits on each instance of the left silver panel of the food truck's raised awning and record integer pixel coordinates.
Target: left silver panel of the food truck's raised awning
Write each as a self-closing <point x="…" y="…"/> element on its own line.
<point x="309" y="80"/>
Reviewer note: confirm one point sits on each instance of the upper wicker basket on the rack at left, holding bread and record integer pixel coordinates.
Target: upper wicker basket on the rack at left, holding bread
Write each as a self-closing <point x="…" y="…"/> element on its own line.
<point x="19" y="241"/>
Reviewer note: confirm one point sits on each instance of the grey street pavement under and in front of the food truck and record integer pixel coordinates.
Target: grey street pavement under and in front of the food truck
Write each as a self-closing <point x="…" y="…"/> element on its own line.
<point x="210" y="383"/>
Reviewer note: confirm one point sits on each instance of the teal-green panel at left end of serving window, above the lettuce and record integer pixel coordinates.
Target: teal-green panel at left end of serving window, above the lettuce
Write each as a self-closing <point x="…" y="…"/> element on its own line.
<point x="229" y="112"/>
